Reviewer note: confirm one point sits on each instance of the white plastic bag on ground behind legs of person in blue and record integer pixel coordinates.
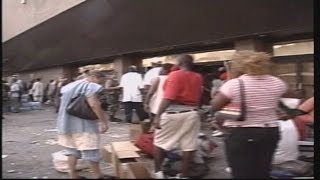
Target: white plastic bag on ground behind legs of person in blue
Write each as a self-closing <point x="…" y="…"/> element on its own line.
<point x="60" y="162"/>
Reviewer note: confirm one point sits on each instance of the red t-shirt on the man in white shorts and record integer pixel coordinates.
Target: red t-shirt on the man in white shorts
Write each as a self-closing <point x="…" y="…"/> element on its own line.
<point x="183" y="87"/>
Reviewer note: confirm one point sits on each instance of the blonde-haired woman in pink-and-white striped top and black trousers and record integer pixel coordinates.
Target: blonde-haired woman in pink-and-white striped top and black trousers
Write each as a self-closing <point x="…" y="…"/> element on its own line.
<point x="251" y="143"/>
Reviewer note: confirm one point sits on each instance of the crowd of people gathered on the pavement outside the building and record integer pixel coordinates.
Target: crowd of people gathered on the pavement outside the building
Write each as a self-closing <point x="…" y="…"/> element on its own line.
<point x="170" y="96"/>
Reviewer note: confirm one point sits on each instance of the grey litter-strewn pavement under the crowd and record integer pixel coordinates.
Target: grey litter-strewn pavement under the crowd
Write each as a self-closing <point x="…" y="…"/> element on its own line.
<point x="28" y="140"/>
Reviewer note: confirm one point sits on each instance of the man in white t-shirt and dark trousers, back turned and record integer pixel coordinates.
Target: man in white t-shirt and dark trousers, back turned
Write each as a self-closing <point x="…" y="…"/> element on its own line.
<point x="131" y="84"/>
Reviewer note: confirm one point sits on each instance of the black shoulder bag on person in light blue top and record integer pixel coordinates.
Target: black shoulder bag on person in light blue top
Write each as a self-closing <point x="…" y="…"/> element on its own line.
<point x="79" y="107"/>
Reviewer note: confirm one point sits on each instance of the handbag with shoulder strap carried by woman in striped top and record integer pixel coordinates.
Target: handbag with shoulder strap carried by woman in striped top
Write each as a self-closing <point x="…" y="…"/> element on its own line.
<point x="232" y="111"/>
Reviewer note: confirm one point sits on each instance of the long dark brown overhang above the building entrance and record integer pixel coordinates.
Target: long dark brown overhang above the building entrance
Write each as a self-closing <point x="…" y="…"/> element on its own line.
<point x="100" y="30"/>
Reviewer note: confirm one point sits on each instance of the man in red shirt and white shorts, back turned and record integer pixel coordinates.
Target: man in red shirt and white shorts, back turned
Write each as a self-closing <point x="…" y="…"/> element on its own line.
<point x="177" y="121"/>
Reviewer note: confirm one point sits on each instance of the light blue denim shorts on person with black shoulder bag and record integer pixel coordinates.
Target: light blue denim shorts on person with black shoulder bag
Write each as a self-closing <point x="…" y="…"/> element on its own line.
<point x="89" y="155"/>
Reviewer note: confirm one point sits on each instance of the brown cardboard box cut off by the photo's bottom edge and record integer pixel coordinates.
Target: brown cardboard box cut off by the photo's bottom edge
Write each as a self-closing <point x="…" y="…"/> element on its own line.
<point x="135" y="170"/>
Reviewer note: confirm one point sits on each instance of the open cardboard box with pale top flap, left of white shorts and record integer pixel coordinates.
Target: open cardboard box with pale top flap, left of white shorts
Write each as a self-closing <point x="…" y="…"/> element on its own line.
<point x="122" y="153"/>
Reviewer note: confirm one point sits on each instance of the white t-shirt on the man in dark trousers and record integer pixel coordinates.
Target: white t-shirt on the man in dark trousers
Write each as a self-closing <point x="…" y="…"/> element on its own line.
<point x="131" y="83"/>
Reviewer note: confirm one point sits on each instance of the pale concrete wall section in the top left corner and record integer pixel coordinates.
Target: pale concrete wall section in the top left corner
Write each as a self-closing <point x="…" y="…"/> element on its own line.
<point x="18" y="17"/>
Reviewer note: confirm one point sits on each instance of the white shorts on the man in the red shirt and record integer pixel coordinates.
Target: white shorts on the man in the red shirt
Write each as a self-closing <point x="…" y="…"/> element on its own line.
<point x="178" y="129"/>
